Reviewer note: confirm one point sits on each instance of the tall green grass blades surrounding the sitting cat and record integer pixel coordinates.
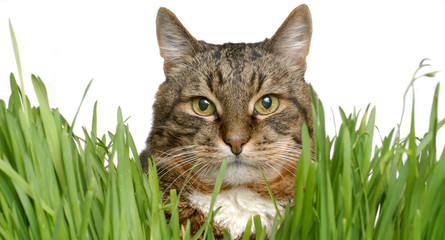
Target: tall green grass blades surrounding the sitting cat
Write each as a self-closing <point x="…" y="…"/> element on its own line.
<point x="56" y="184"/>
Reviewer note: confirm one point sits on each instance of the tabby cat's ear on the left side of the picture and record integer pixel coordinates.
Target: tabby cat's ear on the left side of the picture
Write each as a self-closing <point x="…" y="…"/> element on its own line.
<point x="175" y="42"/>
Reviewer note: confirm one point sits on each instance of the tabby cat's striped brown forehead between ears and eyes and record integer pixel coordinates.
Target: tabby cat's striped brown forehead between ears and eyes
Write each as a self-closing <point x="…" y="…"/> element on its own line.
<point x="235" y="70"/>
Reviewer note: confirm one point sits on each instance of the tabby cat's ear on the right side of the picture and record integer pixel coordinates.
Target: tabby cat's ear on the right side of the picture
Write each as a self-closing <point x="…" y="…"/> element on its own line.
<point x="292" y="39"/>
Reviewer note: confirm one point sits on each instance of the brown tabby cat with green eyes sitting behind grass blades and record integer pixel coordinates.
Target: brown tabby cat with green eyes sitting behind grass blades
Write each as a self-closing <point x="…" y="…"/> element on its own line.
<point x="243" y="102"/>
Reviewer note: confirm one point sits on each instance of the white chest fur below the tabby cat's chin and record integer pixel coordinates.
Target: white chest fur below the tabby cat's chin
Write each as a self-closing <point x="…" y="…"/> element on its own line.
<point x="238" y="205"/>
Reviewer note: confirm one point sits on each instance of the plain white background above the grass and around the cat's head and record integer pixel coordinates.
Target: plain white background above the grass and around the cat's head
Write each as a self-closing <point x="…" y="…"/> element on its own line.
<point x="361" y="53"/>
